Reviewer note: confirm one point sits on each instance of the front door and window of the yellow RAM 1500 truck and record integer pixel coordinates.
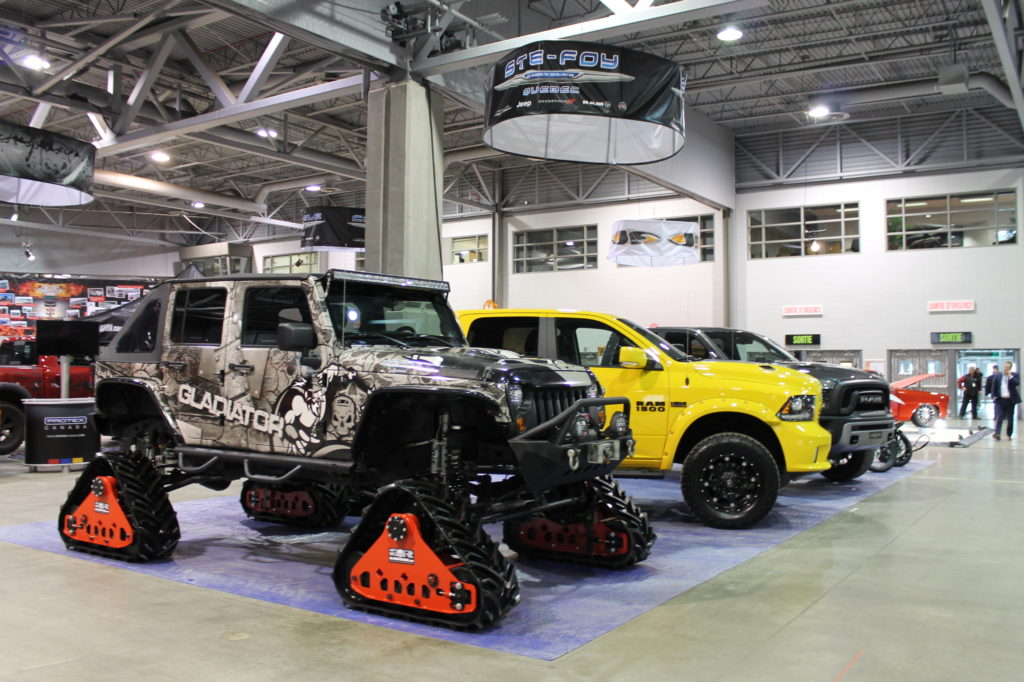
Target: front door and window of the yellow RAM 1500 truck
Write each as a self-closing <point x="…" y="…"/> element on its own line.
<point x="595" y="345"/>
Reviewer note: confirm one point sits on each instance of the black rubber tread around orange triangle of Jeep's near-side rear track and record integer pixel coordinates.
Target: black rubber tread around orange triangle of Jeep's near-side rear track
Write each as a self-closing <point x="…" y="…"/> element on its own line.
<point x="144" y="501"/>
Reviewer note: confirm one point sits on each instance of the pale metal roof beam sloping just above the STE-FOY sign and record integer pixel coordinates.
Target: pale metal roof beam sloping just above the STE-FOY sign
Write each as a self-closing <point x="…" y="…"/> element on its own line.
<point x="609" y="27"/>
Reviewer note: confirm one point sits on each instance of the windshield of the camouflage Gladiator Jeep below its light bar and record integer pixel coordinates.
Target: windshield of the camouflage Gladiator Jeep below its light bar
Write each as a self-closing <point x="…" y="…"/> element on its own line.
<point x="369" y="314"/>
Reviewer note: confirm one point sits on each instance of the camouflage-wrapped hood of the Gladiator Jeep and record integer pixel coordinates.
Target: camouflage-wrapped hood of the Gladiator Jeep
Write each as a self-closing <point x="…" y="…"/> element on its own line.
<point x="485" y="365"/>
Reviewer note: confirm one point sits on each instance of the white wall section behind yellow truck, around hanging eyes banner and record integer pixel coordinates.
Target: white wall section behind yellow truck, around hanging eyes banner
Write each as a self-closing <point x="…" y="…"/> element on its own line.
<point x="674" y="295"/>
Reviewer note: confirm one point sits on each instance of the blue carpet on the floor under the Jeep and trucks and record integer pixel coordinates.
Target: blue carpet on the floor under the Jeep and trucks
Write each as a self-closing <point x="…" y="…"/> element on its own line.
<point x="223" y="550"/>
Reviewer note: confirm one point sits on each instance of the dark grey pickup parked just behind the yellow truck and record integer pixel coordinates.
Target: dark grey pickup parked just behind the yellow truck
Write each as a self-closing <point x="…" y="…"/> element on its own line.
<point x="856" y="404"/>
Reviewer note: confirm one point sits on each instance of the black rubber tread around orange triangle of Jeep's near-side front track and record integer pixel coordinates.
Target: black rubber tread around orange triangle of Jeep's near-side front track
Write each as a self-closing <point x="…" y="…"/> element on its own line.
<point x="448" y="532"/>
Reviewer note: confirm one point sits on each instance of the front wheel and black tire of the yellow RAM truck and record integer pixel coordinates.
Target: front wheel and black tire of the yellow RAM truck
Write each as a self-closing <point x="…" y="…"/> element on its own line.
<point x="731" y="481"/>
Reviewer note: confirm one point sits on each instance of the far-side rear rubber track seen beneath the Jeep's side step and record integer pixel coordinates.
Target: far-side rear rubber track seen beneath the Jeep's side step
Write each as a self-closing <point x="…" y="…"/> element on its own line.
<point x="288" y="504"/>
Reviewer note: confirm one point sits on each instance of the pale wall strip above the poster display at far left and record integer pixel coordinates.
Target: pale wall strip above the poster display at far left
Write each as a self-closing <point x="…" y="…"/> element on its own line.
<point x="78" y="255"/>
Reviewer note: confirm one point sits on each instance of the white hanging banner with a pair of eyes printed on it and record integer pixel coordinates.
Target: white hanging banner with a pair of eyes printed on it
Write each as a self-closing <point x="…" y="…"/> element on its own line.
<point x="655" y="243"/>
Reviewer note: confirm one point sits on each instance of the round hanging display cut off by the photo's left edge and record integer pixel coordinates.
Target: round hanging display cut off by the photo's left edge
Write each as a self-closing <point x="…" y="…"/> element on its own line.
<point x="42" y="168"/>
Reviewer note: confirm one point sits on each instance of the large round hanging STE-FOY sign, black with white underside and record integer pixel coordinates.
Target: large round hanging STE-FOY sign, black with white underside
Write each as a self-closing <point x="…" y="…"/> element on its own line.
<point x="587" y="103"/>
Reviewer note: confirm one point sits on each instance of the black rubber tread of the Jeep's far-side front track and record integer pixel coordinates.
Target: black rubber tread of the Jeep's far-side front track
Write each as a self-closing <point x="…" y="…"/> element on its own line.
<point x="616" y="509"/>
